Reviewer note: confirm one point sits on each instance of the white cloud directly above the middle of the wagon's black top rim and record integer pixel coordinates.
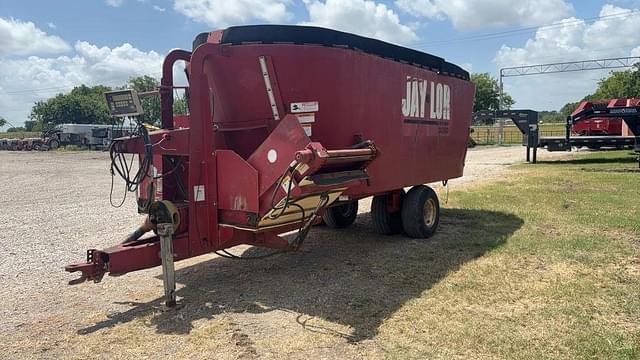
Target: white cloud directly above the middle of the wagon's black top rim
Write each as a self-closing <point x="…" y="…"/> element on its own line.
<point x="363" y="17"/>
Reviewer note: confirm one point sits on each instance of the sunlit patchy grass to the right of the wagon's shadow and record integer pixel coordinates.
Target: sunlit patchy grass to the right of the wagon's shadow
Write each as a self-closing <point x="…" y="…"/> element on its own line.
<point x="566" y="284"/>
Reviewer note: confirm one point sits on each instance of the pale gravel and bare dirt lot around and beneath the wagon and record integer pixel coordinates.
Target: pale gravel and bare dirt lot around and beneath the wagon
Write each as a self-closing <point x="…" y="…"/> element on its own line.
<point x="55" y="205"/>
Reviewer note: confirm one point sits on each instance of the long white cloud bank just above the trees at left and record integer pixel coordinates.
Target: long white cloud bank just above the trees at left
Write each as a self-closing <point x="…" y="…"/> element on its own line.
<point x="26" y="80"/>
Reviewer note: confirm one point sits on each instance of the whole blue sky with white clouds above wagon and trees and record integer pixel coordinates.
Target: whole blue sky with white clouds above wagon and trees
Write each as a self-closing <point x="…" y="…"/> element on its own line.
<point x="107" y="41"/>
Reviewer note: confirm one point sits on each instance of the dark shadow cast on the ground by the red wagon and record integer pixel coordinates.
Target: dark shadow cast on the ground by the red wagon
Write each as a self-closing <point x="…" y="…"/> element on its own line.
<point x="352" y="276"/>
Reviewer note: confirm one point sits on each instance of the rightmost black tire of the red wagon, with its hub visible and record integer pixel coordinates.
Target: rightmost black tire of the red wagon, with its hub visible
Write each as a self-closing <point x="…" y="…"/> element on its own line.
<point x="414" y="220"/>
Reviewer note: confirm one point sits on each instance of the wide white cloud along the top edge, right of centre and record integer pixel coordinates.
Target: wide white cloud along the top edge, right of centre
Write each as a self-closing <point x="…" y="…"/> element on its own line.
<point x="470" y="15"/>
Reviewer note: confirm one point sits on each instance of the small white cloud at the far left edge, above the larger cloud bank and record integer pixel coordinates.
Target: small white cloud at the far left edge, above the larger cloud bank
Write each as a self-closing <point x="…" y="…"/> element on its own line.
<point x="24" y="38"/>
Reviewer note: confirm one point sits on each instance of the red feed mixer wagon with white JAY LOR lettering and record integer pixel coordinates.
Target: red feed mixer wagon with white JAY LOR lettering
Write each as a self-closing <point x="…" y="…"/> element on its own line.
<point x="287" y="125"/>
